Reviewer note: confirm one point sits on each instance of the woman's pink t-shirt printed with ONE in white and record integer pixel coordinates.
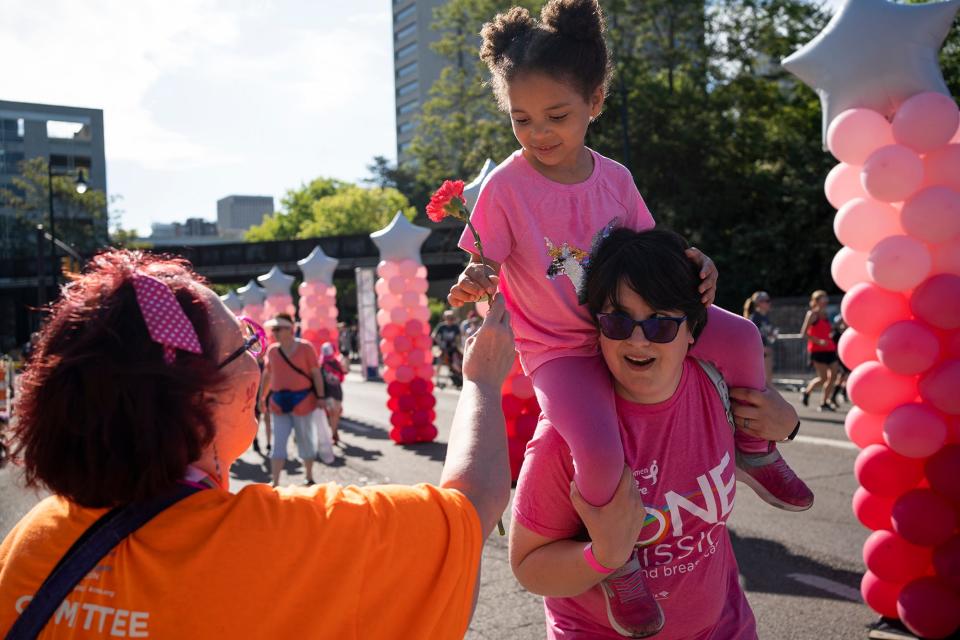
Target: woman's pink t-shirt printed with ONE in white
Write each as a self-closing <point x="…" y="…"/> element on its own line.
<point x="682" y="456"/>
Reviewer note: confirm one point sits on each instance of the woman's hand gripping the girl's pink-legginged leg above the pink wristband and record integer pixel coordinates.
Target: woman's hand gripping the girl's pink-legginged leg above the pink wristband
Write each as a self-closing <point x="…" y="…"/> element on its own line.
<point x="614" y="527"/>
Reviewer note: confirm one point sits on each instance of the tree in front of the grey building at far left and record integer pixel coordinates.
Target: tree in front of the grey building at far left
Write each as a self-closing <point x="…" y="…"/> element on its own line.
<point x="80" y="219"/>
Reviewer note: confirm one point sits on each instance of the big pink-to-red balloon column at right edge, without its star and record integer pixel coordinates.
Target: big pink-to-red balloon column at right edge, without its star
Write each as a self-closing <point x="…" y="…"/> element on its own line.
<point x="898" y="194"/>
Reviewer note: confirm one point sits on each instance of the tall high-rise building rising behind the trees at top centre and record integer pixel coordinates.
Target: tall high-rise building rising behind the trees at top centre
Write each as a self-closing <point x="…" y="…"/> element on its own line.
<point x="416" y="66"/>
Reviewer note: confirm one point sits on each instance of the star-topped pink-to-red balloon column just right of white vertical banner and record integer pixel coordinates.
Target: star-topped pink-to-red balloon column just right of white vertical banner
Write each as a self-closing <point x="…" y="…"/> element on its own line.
<point x="403" y="318"/>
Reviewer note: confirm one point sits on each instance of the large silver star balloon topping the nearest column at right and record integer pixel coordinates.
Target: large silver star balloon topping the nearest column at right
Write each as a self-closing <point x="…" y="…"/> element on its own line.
<point x="875" y="54"/>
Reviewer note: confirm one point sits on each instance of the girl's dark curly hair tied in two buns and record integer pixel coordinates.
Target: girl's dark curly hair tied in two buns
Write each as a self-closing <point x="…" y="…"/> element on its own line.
<point x="567" y="44"/>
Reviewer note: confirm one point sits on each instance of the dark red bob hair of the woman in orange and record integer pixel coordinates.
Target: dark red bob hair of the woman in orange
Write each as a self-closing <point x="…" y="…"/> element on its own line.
<point x="103" y="420"/>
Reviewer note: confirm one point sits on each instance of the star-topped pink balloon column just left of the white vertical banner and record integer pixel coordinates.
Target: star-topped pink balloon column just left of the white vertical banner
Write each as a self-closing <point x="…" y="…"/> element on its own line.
<point x="318" y="299"/>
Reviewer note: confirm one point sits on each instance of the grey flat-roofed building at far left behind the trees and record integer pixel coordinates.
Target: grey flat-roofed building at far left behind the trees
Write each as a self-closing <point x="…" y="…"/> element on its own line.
<point x="68" y="138"/>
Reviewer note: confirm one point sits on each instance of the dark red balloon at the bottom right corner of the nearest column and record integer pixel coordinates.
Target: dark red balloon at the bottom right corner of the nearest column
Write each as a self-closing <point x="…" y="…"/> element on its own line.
<point x="929" y="608"/>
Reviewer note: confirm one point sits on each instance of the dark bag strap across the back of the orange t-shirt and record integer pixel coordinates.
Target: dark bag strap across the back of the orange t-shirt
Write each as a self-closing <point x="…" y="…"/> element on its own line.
<point x="95" y="543"/>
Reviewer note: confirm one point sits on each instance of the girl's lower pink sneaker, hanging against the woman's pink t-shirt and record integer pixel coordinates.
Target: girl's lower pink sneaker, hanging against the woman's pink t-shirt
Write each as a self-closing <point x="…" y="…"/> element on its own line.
<point x="631" y="608"/>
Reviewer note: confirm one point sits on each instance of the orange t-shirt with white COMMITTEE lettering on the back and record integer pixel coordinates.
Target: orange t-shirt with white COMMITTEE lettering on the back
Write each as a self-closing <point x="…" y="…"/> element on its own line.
<point x="319" y="562"/>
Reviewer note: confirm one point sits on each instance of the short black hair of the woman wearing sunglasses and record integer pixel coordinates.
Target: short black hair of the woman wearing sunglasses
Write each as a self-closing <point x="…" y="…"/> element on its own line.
<point x="654" y="265"/>
